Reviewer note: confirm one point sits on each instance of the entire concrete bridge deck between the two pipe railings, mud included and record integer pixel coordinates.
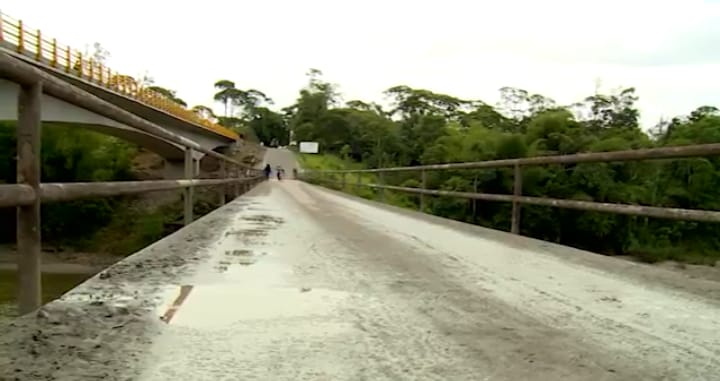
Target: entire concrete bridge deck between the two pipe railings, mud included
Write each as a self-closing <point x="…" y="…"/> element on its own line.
<point x="295" y="282"/>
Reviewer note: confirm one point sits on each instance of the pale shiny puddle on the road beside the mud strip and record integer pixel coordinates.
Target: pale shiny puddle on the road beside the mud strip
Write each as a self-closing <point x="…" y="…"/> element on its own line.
<point x="248" y="281"/>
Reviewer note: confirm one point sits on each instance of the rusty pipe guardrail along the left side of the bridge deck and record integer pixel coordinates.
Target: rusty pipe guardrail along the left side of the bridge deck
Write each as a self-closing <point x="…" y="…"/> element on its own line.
<point x="29" y="193"/>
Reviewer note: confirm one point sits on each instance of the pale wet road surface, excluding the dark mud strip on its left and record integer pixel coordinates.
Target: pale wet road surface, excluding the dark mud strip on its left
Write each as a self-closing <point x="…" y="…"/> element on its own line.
<point x="325" y="287"/>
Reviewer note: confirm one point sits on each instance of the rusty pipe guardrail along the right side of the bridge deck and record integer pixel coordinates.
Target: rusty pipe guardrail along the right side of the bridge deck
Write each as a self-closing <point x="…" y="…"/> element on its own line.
<point x="517" y="198"/>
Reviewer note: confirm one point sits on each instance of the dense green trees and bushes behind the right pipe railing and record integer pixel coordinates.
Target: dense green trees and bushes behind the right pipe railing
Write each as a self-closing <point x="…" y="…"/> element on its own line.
<point x="424" y="127"/>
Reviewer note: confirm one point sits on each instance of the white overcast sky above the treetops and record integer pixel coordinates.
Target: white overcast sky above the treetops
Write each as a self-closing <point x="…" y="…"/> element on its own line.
<point x="668" y="49"/>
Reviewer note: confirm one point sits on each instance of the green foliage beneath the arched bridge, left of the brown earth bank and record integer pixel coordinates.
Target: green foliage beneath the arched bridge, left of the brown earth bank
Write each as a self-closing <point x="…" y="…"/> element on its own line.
<point x="69" y="154"/>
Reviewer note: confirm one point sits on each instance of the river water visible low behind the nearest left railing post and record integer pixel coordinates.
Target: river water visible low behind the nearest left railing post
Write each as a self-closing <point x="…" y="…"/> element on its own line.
<point x="53" y="286"/>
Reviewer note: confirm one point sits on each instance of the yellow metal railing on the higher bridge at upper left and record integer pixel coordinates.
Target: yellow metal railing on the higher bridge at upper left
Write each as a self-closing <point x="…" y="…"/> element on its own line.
<point x="33" y="44"/>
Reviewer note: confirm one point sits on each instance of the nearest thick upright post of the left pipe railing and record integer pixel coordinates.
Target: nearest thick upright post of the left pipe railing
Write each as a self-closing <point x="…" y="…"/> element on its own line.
<point x="28" y="216"/>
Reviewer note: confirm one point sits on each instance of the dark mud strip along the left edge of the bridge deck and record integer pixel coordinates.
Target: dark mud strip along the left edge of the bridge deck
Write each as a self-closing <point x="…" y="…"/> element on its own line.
<point x="101" y="329"/>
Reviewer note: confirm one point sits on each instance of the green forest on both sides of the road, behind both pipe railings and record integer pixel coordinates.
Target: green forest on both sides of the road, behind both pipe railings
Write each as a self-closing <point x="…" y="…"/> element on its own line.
<point x="419" y="126"/>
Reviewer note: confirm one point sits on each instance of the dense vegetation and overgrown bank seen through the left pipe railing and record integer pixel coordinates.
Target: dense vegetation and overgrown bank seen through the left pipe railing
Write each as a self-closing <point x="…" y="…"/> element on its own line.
<point x="113" y="225"/>
